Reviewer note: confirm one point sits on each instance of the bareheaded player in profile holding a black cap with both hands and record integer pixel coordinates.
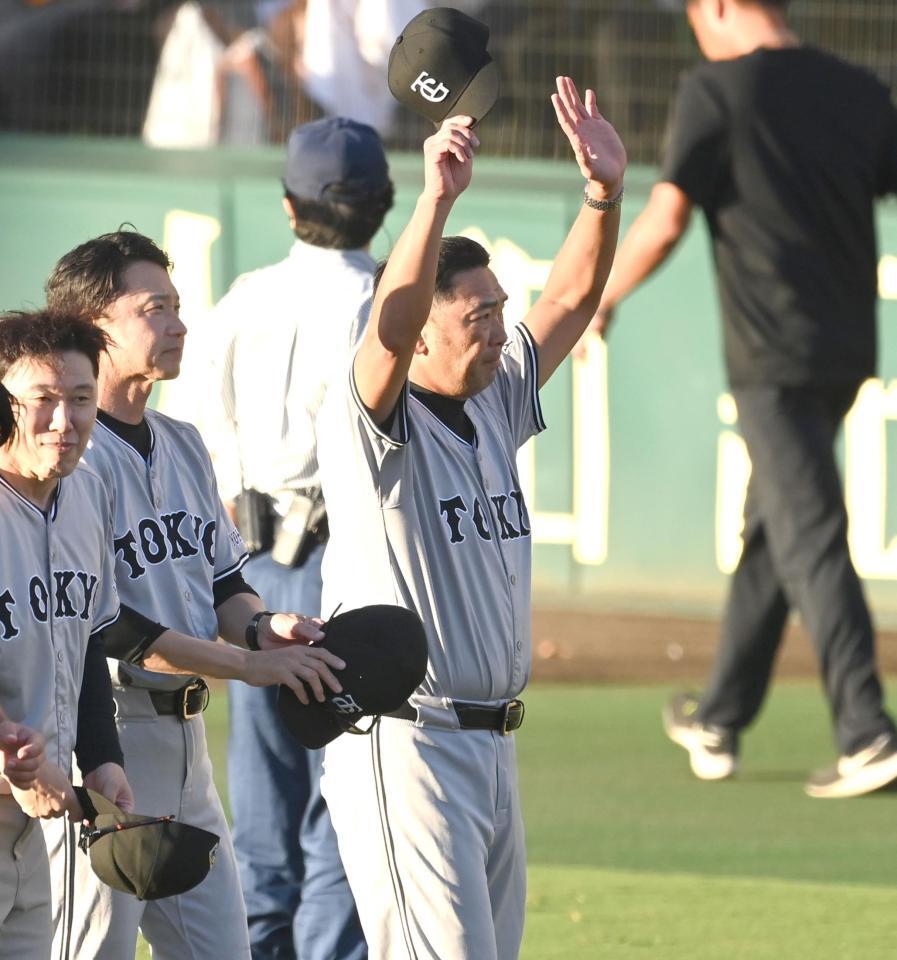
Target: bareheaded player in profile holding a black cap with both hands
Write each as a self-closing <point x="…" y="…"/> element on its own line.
<point x="177" y="563"/>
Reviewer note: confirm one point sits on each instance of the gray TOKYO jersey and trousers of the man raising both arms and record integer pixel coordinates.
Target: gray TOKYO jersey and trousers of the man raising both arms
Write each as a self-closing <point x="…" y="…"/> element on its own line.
<point x="443" y="529"/>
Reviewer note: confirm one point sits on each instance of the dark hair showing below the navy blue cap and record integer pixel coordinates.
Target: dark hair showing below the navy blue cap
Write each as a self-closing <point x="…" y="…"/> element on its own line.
<point x="340" y="224"/>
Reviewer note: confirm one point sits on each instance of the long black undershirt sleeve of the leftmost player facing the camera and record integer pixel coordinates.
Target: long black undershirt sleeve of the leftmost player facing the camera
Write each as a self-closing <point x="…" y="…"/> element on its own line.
<point x="97" y="739"/>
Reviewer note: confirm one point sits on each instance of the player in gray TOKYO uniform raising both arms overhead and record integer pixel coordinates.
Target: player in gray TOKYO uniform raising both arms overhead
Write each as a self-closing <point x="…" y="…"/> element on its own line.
<point x="417" y="451"/>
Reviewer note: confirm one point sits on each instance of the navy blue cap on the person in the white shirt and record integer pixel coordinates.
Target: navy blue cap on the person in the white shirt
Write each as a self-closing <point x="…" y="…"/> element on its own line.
<point x="335" y="159"/>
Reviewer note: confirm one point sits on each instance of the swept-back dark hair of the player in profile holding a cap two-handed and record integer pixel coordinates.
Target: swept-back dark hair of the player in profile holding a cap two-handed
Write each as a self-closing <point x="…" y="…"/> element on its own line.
<point x="90" y="277"/>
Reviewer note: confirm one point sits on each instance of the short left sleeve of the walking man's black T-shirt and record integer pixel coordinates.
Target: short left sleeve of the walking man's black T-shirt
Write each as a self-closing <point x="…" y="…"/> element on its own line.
<point x="697" y="147"/>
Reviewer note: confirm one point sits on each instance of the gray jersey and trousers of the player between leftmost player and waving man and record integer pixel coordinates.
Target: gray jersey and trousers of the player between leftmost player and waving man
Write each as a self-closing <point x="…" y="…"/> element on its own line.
<point x="173" y="540"/>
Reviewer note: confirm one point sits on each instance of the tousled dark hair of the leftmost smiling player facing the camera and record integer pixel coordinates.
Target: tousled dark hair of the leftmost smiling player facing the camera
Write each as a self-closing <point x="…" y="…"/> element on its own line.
<point x="42" y="334"/>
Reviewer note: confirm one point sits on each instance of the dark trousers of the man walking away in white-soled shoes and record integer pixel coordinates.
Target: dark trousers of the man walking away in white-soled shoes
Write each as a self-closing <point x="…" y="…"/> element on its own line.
<point x="796" y="557"/>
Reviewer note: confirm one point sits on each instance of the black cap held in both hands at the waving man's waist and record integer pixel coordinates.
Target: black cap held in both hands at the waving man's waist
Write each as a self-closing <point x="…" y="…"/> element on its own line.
<point x="385" y="651"/>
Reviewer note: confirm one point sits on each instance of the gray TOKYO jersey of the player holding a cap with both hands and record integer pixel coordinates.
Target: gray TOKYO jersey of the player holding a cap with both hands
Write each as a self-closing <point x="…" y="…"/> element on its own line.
<point x="172" y="536"/>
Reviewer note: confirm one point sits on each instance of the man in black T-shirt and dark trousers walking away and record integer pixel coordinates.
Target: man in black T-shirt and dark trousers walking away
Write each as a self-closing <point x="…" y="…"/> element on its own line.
<point x="785" y="149"/>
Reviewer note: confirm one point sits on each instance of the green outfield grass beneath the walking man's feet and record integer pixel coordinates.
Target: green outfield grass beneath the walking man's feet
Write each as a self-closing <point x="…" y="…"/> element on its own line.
<point x="631" y="857"/>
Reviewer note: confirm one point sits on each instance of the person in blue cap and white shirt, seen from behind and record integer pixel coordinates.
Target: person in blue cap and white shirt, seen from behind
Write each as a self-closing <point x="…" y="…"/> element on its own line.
<point x="283" y="329"/>
